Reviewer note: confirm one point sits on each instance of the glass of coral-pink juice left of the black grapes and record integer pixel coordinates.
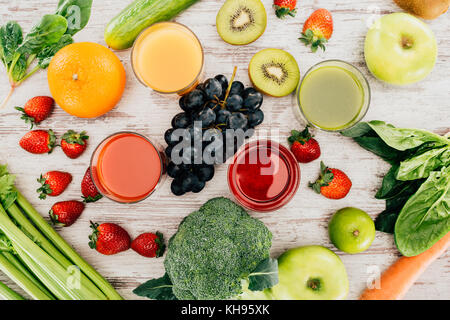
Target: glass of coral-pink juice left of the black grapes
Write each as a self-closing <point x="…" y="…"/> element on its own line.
<point x="127" y="167"/>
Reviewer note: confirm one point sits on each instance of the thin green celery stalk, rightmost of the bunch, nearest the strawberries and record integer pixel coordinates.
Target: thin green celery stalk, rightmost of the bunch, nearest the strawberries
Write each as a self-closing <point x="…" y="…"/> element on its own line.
<point x="66" y="249"/>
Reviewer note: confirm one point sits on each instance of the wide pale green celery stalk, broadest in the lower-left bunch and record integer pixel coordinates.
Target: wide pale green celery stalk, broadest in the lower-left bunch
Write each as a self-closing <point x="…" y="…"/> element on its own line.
<point x="53" y="275"/>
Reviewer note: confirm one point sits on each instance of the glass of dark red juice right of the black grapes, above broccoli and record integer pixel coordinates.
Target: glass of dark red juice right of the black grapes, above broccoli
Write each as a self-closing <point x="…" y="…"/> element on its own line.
<point x="264" y="176"/>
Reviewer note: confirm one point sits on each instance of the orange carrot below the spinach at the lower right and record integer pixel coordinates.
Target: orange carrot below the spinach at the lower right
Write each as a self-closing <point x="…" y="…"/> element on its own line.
<point x="400" y="276"/>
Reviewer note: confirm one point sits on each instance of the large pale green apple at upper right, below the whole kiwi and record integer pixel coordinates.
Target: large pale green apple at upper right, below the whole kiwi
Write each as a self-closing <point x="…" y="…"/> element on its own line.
<point x="400" y="49"/>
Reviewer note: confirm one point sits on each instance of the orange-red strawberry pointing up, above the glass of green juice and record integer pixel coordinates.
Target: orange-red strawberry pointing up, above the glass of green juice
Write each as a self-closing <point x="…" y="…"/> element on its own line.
<point x="317" y="29"/>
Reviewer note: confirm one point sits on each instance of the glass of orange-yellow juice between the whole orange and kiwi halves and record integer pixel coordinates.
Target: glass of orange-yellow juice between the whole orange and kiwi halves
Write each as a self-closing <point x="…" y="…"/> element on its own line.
<point x="168" y="57"/>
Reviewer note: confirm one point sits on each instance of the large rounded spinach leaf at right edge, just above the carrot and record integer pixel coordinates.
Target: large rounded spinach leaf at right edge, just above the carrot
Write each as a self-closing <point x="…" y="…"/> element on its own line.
<point x="425" y="218"/>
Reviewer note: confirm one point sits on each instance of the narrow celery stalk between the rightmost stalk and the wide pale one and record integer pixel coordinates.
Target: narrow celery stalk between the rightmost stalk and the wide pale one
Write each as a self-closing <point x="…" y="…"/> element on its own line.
<point x="43" y="242"/>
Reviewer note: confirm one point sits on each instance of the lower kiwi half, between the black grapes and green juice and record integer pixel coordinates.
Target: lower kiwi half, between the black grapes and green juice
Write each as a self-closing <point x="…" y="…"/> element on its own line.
<point x="274" y="72"/>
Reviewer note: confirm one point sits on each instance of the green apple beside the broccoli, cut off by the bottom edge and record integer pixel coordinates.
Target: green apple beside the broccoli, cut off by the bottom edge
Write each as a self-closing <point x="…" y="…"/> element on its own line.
<point x="310" y="273"/>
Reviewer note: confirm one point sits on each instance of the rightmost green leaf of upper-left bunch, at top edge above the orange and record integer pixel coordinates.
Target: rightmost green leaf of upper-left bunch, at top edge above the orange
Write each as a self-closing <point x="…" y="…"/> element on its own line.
<point x="77" y="13"/>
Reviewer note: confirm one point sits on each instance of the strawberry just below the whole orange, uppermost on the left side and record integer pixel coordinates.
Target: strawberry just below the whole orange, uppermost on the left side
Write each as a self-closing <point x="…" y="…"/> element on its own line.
<point x="36" y="109"/>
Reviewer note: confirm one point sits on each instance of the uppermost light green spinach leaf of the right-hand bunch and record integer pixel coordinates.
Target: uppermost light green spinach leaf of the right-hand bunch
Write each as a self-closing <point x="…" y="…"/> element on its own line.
<point x="404" y="139"/>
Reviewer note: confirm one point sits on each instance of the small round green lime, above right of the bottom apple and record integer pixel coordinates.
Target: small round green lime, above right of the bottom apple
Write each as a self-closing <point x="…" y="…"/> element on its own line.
<point x="351" y="230"/>
